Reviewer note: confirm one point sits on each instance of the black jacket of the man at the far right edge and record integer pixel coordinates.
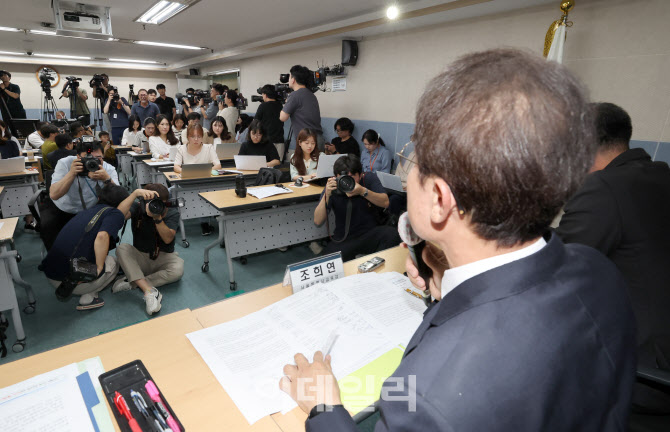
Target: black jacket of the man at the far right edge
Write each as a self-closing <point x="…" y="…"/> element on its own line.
<point x="624" y="212"/>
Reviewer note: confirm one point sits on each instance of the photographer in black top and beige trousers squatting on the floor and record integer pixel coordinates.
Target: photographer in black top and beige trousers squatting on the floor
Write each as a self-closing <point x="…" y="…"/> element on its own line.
<point x="151" y="261"/>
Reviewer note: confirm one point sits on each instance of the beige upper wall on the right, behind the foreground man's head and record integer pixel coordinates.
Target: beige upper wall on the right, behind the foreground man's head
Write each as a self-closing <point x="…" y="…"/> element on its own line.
<point x="619" y="48"/>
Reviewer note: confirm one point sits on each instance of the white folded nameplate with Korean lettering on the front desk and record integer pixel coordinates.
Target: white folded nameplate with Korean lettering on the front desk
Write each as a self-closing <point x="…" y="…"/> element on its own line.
<point x="311" y="272"/>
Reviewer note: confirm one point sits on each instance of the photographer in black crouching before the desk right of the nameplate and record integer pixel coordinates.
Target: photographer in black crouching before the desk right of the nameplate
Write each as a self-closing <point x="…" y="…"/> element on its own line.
<point x="356" y="209"/>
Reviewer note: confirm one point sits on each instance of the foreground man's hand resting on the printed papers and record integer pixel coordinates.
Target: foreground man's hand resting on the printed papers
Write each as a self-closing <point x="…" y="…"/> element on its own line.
<point x="311" y="384"/>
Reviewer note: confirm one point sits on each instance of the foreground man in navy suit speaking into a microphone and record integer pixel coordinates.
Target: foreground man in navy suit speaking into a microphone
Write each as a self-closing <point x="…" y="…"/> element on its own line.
<point x="527" y="333"/>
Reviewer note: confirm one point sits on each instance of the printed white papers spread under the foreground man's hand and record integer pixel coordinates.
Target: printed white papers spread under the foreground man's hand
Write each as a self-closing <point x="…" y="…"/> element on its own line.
<point x="371" y="314"/>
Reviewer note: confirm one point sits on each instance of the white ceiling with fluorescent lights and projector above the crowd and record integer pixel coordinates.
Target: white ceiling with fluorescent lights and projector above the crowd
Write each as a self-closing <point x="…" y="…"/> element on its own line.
<point x="229" y="28"/>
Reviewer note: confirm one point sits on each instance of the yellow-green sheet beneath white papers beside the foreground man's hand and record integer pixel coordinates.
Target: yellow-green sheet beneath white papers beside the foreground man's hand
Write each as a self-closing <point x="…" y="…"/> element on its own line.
<point x="363" y="387"/>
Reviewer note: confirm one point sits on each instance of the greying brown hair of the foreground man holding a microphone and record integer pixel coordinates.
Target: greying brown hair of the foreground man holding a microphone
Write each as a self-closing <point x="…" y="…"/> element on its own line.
<point x="512" y="135"/>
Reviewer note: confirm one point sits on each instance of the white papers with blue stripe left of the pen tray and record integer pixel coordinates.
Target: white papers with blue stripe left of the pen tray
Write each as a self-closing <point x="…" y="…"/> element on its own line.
<point x="65" y="399"/>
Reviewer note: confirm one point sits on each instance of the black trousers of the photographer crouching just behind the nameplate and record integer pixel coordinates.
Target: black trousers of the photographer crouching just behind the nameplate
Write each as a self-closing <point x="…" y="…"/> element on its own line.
<point x="378" y="238"/>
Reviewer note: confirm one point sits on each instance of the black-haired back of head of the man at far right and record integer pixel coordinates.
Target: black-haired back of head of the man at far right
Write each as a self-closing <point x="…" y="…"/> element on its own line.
<point x="613" y="126"/>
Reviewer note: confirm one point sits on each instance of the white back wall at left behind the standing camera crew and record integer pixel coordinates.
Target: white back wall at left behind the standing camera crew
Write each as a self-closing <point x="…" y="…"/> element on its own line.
<point x="31" y="93"/>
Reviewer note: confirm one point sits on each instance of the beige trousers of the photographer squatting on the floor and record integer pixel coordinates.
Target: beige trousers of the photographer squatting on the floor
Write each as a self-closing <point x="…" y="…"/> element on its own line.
<point x="165" y="269"/>
